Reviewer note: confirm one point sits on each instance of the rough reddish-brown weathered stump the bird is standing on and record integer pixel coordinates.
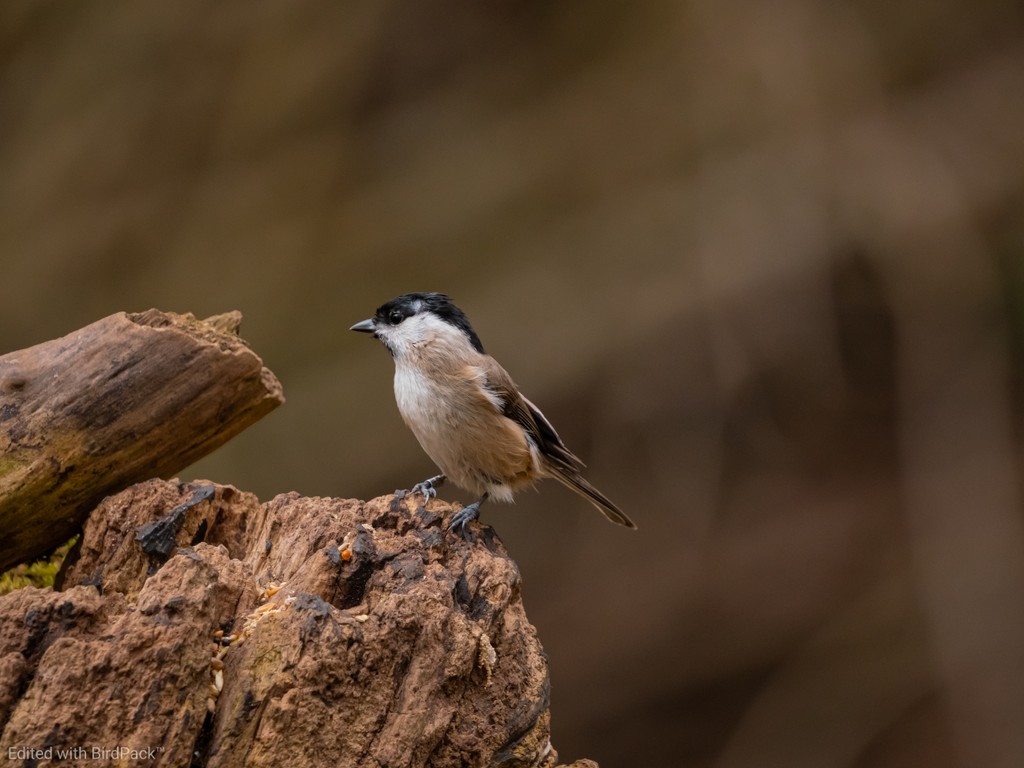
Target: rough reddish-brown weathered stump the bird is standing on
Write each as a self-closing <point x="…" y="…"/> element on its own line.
<point x="351" y="634"/>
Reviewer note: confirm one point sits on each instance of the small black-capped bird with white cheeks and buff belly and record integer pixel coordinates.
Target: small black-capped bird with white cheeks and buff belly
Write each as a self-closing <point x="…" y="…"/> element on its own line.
<point x="466" y="412"/>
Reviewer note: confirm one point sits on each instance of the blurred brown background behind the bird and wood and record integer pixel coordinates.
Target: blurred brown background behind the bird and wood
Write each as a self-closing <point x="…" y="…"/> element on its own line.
<point x="761" y="264"/>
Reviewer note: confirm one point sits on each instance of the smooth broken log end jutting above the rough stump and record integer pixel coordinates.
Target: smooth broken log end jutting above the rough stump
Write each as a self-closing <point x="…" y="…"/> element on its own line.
<point x="130" y="398"/>
